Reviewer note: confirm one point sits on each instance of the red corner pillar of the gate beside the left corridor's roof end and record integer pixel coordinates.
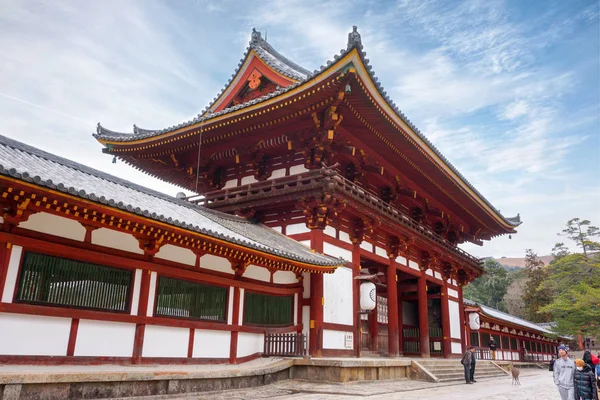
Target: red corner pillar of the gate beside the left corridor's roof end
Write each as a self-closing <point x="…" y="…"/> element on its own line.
<point x="316" y="300"/>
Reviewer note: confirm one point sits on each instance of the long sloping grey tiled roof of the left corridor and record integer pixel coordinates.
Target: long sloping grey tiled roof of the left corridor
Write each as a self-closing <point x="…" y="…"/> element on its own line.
<point x="33" y="165"/>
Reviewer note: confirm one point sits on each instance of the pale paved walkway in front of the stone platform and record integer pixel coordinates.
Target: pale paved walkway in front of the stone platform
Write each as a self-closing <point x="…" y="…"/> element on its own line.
<point x="535" y="385"/>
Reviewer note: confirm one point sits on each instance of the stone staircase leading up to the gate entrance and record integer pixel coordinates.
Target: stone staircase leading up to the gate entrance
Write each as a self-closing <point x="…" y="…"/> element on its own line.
<point x="452" y="370"/>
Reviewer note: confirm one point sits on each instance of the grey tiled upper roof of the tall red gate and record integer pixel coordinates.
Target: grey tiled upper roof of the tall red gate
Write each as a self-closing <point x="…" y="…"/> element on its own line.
<point x="354" y="41"/>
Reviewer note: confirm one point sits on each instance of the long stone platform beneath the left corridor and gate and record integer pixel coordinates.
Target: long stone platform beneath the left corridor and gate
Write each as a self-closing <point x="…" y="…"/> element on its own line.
<point x="19" y="382"/>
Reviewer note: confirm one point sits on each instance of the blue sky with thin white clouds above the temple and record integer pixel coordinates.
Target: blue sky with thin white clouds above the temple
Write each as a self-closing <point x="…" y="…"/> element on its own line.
<point x="509" y="91"/>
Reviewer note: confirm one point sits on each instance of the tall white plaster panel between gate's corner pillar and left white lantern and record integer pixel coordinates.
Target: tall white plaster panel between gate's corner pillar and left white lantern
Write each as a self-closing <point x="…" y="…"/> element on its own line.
<point x="337" y="290"/>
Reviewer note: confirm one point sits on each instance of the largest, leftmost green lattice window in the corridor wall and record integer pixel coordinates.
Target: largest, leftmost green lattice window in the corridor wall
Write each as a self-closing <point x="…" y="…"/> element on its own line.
<point x="57" y="281"/>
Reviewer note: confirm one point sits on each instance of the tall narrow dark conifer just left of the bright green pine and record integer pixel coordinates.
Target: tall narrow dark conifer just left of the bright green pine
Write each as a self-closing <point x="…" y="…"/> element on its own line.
<point x="536" y="296"/>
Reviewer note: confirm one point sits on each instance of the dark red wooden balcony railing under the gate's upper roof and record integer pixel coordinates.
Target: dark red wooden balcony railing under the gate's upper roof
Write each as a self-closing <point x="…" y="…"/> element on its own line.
<point x="330" y="180"/>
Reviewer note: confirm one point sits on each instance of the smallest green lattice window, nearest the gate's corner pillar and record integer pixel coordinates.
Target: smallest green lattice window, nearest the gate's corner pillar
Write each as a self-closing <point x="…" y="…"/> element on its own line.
<point x="264" y="309"/>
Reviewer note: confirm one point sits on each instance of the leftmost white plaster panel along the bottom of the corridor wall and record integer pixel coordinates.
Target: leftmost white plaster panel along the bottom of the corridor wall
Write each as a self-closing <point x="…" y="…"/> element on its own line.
<point x="34" y="335"/>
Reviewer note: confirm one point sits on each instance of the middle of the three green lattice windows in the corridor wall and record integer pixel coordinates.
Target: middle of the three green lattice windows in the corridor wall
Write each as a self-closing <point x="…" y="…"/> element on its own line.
<point x="185" y="299"/>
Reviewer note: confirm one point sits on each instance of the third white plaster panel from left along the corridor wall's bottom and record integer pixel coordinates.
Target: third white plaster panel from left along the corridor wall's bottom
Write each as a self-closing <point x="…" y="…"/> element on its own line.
<point x="163" y="341"/>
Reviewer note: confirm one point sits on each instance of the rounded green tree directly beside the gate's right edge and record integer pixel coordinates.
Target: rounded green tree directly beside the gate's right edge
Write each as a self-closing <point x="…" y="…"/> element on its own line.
<point x="490" y="288"/>
